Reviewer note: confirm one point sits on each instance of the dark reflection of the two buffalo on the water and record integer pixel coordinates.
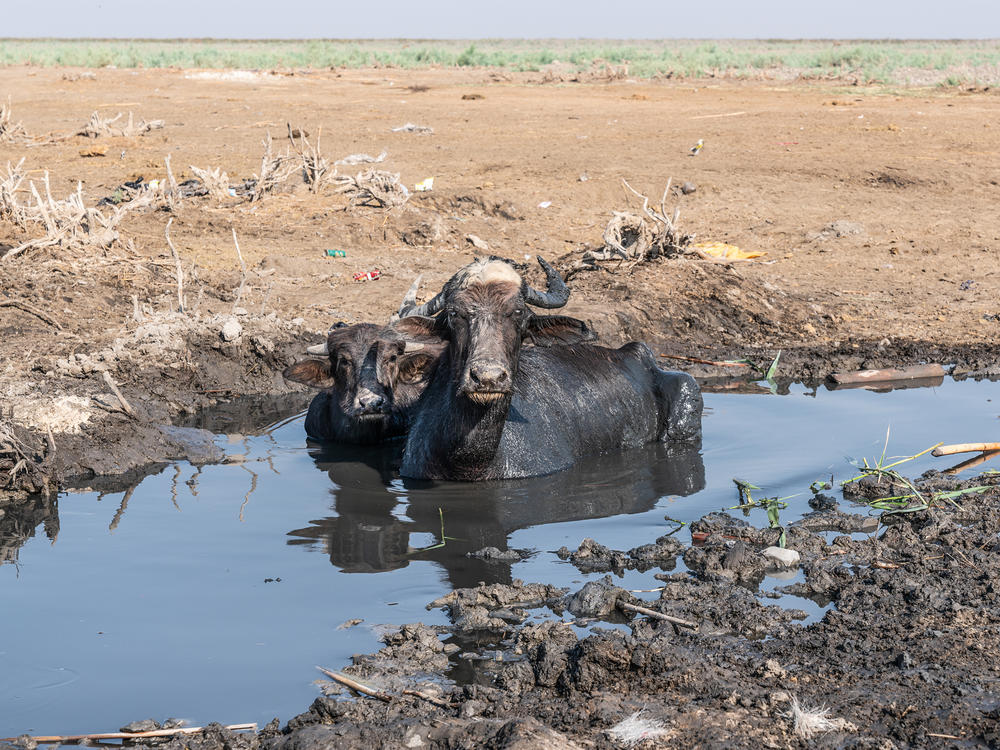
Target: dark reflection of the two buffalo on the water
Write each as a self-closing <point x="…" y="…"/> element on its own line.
<point x="377" y="512"/>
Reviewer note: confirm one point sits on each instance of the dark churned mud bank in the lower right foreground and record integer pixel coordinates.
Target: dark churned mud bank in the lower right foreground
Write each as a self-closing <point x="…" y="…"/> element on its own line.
<point x="905" y="657"/>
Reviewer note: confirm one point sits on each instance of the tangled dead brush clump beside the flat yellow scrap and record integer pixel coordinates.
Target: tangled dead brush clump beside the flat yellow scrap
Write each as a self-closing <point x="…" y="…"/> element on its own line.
<point x="633" y="238"/>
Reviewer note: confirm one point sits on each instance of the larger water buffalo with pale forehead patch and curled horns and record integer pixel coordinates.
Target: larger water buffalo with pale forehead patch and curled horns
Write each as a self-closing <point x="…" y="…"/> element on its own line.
<point x="497" y="409"/>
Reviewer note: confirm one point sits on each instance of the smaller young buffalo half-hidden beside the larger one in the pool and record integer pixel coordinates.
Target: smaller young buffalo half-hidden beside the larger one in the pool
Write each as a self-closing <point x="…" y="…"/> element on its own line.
<point x="371" y="376"/>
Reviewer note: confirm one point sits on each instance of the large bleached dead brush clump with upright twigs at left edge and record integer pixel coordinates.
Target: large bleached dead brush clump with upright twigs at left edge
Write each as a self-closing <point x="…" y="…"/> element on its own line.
<point x="69" y="223"/>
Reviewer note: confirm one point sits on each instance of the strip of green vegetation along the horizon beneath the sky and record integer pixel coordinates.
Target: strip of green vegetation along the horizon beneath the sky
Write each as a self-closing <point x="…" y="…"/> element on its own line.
<point x="948" y="62"/>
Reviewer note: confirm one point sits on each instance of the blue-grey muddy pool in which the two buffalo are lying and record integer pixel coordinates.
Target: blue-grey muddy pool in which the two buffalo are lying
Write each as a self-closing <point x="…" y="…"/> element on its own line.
<point x="210" y="594"/>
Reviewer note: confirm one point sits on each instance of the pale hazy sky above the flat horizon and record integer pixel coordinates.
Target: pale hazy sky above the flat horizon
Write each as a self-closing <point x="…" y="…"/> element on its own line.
<point x="440" y="19"/>
